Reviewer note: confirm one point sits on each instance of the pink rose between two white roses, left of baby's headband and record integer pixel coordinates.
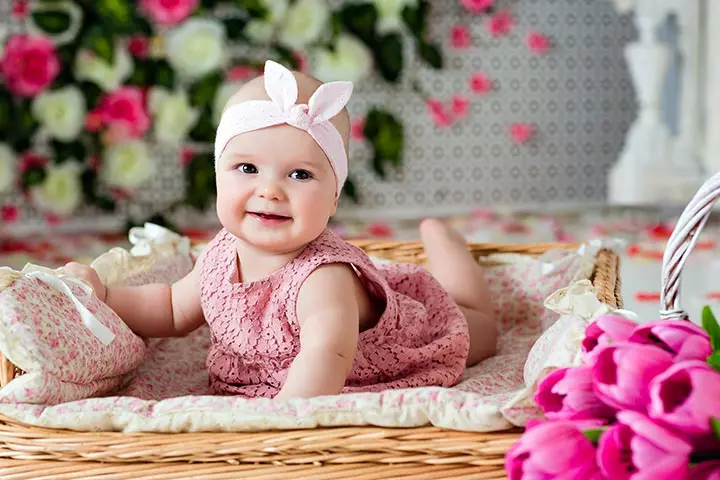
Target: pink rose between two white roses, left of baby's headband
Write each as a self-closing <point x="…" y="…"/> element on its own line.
<point x="123" y="112"/>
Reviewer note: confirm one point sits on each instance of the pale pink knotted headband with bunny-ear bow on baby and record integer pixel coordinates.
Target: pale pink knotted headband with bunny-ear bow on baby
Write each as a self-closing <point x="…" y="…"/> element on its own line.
<point x="327" y="101"/>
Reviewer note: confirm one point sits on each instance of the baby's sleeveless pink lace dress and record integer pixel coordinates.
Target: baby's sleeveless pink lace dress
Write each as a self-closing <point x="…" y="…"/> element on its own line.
<point x="421" y="339"/>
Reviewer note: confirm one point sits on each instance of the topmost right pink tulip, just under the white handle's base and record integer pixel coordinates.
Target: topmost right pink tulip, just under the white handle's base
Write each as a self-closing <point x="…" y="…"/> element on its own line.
<point x="685" y="340"/>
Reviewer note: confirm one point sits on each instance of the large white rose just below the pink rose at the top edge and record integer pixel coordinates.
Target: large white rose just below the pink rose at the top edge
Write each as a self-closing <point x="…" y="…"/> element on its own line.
<point x="196" y="47"/>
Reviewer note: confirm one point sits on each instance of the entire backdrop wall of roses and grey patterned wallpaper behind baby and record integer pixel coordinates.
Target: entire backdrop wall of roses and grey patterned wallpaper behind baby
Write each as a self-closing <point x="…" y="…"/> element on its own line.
<point x="108" y="107"/>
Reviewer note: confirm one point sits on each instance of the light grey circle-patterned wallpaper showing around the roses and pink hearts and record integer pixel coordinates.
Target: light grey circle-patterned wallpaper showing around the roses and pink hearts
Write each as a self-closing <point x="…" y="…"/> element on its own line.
<point x="578" y="95"/>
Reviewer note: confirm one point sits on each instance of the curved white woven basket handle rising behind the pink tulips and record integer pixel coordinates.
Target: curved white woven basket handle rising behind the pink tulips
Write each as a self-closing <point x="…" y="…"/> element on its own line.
<point x="681" y="243"/>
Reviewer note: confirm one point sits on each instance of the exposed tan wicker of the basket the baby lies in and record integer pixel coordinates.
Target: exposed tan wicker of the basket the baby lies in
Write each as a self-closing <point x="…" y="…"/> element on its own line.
<point x="323" y="453"/>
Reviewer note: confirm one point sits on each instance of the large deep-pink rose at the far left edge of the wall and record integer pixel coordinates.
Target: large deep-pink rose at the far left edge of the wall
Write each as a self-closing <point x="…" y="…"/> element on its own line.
<point x="29" y="65"/>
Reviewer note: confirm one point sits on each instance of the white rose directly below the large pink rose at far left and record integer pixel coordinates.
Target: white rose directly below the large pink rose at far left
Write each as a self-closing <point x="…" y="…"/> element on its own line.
<point x="61" y="112"/>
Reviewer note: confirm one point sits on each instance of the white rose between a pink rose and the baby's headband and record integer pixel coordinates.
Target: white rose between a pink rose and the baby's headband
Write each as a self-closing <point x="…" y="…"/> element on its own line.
<point x="173" y="115"/>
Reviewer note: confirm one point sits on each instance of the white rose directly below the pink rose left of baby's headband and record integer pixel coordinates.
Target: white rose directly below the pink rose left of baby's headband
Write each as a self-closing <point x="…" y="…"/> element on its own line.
<point x="126" y="165"/>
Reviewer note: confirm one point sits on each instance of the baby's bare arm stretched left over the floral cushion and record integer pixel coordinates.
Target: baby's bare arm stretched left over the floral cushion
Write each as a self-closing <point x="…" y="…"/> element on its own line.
<point x="153" y="310"/>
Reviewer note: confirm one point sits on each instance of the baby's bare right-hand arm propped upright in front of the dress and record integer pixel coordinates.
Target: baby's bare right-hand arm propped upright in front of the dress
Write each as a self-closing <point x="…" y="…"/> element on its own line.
<point x="327" y="310"/>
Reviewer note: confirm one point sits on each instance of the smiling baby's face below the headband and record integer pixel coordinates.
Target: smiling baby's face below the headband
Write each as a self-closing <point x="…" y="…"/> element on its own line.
<point x="275" y="189"/>
